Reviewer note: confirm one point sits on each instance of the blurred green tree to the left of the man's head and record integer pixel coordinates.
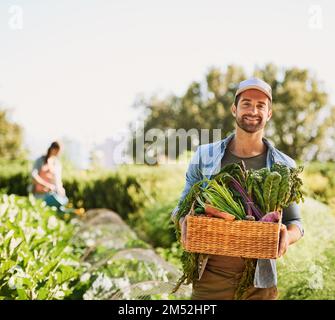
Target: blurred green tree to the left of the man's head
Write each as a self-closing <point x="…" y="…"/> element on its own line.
<point x="204" y="105"/>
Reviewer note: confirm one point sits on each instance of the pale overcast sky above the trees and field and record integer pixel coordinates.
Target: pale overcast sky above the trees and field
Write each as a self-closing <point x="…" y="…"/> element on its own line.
<point x="73" y="68"/>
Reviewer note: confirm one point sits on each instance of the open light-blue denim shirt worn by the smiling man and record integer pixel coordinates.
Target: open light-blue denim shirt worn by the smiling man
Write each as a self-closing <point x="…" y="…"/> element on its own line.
<point x="206" y="162"/>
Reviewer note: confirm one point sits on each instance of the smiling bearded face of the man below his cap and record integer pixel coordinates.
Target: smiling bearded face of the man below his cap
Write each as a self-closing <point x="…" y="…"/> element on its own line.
<point x="253" y="110"/>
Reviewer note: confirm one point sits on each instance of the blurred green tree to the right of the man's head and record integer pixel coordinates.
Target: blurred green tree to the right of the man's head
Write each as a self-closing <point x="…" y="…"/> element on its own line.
<point x="300" y="123"/>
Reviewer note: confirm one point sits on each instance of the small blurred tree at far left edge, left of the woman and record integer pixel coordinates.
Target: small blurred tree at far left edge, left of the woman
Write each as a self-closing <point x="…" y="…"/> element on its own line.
<point x="10" y="138"/>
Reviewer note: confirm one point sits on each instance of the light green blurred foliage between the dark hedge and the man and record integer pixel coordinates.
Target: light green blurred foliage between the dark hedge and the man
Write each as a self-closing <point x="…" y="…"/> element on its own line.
<point x="161" y="185"/>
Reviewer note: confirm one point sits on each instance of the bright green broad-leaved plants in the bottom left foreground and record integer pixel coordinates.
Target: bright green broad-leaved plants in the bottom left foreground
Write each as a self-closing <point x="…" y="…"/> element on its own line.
<point x="36" y="260"/>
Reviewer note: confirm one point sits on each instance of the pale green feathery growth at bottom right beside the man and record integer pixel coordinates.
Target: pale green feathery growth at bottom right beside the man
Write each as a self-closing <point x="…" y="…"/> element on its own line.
<point x="306" y="271"/>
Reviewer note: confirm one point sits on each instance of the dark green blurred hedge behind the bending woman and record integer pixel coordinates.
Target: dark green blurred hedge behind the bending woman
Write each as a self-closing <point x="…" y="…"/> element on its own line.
<point x="121" y="193"/>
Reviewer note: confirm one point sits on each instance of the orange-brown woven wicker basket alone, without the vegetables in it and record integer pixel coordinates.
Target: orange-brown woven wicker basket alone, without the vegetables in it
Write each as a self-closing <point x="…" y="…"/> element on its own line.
<point x="239" y="238"/>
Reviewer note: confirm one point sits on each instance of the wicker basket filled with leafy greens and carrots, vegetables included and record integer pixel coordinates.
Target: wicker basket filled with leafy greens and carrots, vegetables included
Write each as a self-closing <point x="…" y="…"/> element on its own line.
<point x="238" y="212"/>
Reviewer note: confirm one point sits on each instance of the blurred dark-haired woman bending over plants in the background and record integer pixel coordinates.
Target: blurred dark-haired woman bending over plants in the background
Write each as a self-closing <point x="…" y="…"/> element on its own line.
<point x="47" y="178"/>
